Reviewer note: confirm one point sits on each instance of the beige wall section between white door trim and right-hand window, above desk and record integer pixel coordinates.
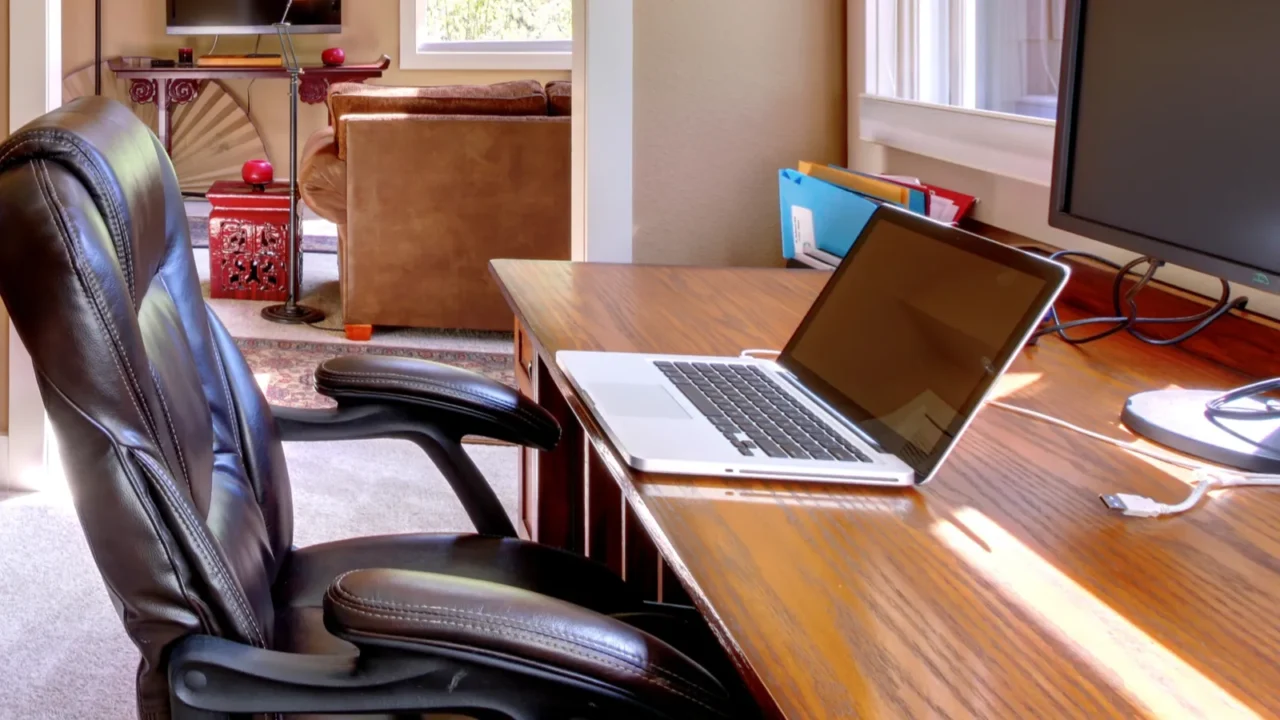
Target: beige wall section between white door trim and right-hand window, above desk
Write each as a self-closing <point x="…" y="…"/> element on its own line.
<point x="726" y="93"/>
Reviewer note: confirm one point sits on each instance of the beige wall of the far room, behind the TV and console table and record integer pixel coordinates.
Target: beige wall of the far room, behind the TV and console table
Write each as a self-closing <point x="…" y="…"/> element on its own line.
<point x="371" y="29"/>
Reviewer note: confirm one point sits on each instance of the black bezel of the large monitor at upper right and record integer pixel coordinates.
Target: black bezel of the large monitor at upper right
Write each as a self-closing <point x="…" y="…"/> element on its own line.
<point x="1060" y="216"/>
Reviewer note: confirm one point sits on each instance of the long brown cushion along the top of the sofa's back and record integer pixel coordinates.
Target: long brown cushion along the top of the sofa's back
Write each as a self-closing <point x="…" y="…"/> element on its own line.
<point x="515" y="98"/>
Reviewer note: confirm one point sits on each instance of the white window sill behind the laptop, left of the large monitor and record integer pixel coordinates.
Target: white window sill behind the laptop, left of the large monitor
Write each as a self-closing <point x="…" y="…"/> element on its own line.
<point x="1013" y="147"/>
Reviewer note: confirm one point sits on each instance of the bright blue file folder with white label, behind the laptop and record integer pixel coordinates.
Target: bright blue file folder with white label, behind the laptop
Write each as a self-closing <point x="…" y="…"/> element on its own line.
<point x="820" y="215"/>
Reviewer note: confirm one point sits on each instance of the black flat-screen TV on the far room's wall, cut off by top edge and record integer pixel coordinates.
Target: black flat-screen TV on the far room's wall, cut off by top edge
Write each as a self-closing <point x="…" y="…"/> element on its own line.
<point x="252" y="17"/>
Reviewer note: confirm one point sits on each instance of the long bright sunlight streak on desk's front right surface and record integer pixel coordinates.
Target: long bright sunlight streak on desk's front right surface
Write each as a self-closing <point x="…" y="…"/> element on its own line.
<point x="1122" y="654"/>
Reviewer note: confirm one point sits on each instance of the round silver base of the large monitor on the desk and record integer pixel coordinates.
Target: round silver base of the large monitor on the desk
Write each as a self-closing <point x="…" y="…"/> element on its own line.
<point x="1177" y="420"/>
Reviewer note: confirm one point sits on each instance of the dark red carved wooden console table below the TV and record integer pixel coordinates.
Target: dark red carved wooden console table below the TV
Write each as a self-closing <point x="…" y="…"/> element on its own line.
<point x="173" y="86"/>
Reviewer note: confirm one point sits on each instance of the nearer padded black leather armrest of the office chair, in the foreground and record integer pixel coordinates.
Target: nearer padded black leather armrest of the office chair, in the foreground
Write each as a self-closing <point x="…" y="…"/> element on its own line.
<point x="524" y="631"/>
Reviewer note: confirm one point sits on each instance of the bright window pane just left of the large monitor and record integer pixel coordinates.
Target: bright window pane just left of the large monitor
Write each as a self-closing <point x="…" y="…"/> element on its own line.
<point x="999" y="56"/>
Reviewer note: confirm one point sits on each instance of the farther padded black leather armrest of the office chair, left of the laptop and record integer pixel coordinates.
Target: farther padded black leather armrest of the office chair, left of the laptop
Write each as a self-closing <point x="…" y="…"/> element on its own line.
<point x="458" y="400"/>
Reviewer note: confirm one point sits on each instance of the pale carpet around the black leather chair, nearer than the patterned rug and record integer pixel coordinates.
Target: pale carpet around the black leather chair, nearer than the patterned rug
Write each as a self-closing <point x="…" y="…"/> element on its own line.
<point x="63" y="653"/>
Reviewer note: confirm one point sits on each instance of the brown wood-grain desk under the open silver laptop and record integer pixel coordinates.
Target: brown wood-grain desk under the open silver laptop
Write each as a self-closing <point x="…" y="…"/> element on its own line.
<point x="1003" y="590"/>
